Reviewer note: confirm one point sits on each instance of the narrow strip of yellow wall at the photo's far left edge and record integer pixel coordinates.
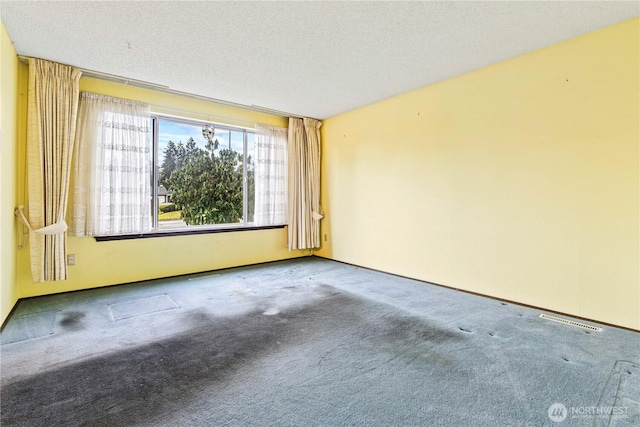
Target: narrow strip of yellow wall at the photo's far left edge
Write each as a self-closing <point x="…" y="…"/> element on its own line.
<point x="8" y="170"/>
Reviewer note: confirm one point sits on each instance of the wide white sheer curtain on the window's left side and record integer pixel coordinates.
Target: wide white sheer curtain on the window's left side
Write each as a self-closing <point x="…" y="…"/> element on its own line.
<point x="112" y="165"/>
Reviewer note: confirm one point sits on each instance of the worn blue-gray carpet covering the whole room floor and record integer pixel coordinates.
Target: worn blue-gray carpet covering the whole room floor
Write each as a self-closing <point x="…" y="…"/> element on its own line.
<point x="307" y="342"/>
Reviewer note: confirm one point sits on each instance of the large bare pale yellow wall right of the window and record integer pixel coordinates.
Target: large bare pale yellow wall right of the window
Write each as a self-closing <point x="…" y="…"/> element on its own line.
<point x="519" y="181"/>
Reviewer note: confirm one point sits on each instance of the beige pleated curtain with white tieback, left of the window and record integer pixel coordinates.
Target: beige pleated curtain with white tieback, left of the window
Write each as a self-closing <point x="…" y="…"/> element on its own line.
<point x="51" y="122"/>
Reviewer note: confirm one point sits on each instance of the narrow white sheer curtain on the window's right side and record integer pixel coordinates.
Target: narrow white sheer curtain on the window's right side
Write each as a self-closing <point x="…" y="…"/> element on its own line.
<point x="271" y="175"/>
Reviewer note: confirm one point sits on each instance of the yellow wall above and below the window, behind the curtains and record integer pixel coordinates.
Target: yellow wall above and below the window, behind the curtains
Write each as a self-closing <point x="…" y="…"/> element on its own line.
<point x="107" y="263"/>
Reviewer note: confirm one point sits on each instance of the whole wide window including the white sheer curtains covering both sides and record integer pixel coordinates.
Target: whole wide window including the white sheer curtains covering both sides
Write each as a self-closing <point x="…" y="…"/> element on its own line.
<point x="187" y="177"/>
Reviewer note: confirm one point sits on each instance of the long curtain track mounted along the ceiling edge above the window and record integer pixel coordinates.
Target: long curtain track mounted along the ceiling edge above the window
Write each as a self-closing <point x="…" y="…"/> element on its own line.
<point x="166" y="89"/>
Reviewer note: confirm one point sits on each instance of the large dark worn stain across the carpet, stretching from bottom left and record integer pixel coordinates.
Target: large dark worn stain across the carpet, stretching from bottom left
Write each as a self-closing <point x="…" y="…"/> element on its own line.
<point x="130" y="386"/>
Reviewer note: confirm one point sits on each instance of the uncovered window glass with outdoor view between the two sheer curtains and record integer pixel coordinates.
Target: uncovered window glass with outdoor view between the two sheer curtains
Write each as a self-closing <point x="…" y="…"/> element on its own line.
<point x="204" y="175"/>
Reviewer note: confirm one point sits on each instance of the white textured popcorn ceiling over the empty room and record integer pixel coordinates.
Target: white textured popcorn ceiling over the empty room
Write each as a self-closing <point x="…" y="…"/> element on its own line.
<point x="314" y="59"/>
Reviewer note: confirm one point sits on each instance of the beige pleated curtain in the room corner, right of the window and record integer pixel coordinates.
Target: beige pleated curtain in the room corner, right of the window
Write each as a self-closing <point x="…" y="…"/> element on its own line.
<point x="305" y="211"/>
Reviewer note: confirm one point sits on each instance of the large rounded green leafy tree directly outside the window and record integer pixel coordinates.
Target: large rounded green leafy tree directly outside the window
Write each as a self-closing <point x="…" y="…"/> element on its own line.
<point x="208" y="186"/>
